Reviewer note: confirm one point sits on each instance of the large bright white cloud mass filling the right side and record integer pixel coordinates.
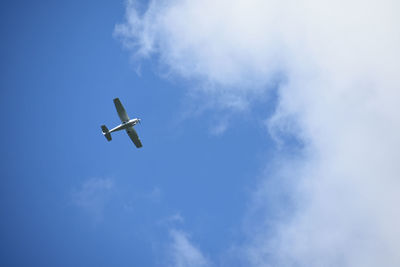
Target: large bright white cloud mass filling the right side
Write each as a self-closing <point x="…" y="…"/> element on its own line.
<point x="341" y="66"/>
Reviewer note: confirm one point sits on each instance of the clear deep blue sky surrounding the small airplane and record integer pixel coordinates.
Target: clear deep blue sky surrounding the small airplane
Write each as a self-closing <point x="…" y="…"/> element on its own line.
<point x="61" y="67"/>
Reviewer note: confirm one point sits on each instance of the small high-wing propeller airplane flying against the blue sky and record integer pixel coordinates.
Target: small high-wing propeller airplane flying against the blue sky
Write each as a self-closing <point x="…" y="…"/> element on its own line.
<point x="127" y="124"/>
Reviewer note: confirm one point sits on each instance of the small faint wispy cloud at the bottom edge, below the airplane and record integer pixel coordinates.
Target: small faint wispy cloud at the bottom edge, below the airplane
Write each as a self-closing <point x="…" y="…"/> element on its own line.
<point x="182" y="252"/>
